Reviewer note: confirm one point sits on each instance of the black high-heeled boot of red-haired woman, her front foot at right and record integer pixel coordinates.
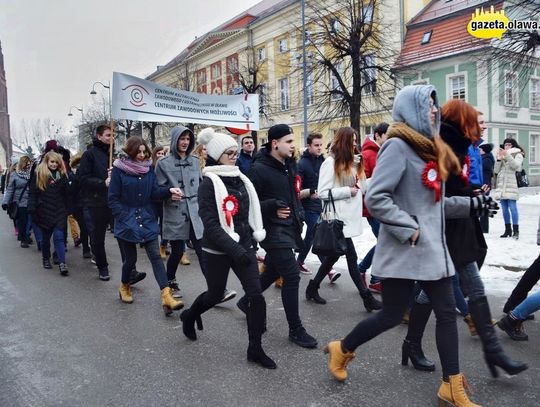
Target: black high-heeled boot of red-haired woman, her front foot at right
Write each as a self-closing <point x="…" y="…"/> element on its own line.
<point x="493" y="352"/>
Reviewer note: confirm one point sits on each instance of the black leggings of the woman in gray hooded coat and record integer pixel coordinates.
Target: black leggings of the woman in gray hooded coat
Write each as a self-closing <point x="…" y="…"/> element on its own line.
<point x="396" y="295"/>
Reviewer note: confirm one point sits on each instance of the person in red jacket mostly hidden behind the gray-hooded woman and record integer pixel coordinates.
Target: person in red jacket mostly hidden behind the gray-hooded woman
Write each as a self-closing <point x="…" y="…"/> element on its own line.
<point x="370" y="149"/>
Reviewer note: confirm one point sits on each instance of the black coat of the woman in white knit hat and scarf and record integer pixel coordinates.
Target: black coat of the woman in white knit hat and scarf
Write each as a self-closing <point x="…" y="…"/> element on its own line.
<point x="214" y="236"/>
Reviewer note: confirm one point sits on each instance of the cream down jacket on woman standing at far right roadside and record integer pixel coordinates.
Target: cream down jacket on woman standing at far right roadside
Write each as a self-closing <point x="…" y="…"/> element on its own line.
<point x="505" y="170"/>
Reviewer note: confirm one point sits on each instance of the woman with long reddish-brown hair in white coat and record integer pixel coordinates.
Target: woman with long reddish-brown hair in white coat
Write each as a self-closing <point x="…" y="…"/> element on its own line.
<point x="342" y="177"/>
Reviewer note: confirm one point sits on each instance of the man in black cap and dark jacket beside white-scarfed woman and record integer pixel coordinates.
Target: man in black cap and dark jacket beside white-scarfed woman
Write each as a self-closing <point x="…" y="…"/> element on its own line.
<point x="274" y="176"/>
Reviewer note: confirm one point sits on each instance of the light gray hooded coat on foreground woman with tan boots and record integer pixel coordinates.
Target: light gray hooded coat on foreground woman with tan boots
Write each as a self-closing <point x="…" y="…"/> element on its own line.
<point x="398" y="198"/>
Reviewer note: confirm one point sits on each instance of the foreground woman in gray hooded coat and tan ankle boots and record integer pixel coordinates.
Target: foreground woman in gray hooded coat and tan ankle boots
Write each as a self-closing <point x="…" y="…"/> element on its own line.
<point x="406" y="195"/>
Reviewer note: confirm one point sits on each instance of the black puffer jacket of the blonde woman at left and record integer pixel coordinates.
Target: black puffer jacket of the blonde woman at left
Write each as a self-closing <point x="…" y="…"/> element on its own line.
<point x="49" y="207"/>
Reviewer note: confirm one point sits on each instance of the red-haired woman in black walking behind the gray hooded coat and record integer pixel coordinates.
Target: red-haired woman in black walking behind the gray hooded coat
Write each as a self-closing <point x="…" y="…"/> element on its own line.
<point x="466" y="244"/>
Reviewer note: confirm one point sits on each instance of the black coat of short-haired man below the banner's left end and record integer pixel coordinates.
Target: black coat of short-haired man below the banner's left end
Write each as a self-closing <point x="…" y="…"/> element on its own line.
<point x="92" y="174"/>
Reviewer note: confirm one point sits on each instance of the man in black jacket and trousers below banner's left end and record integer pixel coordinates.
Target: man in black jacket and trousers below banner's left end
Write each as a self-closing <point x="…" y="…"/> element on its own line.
<point x="94" y="178"/>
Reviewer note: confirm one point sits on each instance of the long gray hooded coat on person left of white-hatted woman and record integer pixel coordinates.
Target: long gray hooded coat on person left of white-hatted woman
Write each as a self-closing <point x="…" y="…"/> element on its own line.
<point x="185" y="174"/>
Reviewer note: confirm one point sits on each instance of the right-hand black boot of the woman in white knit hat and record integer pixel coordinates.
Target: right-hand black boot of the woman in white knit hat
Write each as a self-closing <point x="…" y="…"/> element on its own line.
<point x="256" y="317"/>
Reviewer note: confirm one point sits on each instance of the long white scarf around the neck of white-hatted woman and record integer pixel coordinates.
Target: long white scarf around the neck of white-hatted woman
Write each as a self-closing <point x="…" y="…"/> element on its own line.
<point x="254" y="217"/>
